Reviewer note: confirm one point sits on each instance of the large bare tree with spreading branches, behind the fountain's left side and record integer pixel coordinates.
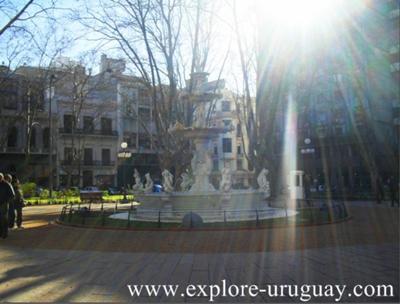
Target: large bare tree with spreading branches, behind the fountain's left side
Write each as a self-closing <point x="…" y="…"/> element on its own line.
<point x="154" y="36"/>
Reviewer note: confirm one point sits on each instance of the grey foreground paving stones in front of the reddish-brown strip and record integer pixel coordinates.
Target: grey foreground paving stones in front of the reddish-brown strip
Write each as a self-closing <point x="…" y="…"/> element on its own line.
<point x="63" y="276"/>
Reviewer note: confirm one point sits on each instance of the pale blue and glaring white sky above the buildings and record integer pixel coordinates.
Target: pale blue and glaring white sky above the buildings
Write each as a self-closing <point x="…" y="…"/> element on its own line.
<point x="285" y="18"/>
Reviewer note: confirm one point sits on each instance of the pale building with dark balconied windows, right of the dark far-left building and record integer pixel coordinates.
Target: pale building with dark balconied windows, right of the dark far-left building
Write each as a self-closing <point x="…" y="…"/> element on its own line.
<point x="87" y="140"/>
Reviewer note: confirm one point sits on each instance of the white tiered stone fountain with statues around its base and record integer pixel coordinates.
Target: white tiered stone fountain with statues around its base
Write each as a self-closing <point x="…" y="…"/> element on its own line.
<point x="197" y="193"/>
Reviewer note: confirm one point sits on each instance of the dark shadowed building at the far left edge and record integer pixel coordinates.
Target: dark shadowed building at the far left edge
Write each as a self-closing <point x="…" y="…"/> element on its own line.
<point x="24" y="124"/>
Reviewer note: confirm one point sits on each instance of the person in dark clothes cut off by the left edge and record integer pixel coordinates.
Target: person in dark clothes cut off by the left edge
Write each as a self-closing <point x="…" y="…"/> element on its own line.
<point x="6" y="195"/>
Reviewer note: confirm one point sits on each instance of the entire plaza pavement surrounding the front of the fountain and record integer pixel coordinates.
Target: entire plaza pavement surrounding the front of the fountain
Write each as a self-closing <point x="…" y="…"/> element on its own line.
<point x="47" y="262"/>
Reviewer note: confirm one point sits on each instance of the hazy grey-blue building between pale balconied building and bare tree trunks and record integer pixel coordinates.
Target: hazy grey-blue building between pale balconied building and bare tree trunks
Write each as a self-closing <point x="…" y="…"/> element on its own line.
<point x="134" y="120"/>
